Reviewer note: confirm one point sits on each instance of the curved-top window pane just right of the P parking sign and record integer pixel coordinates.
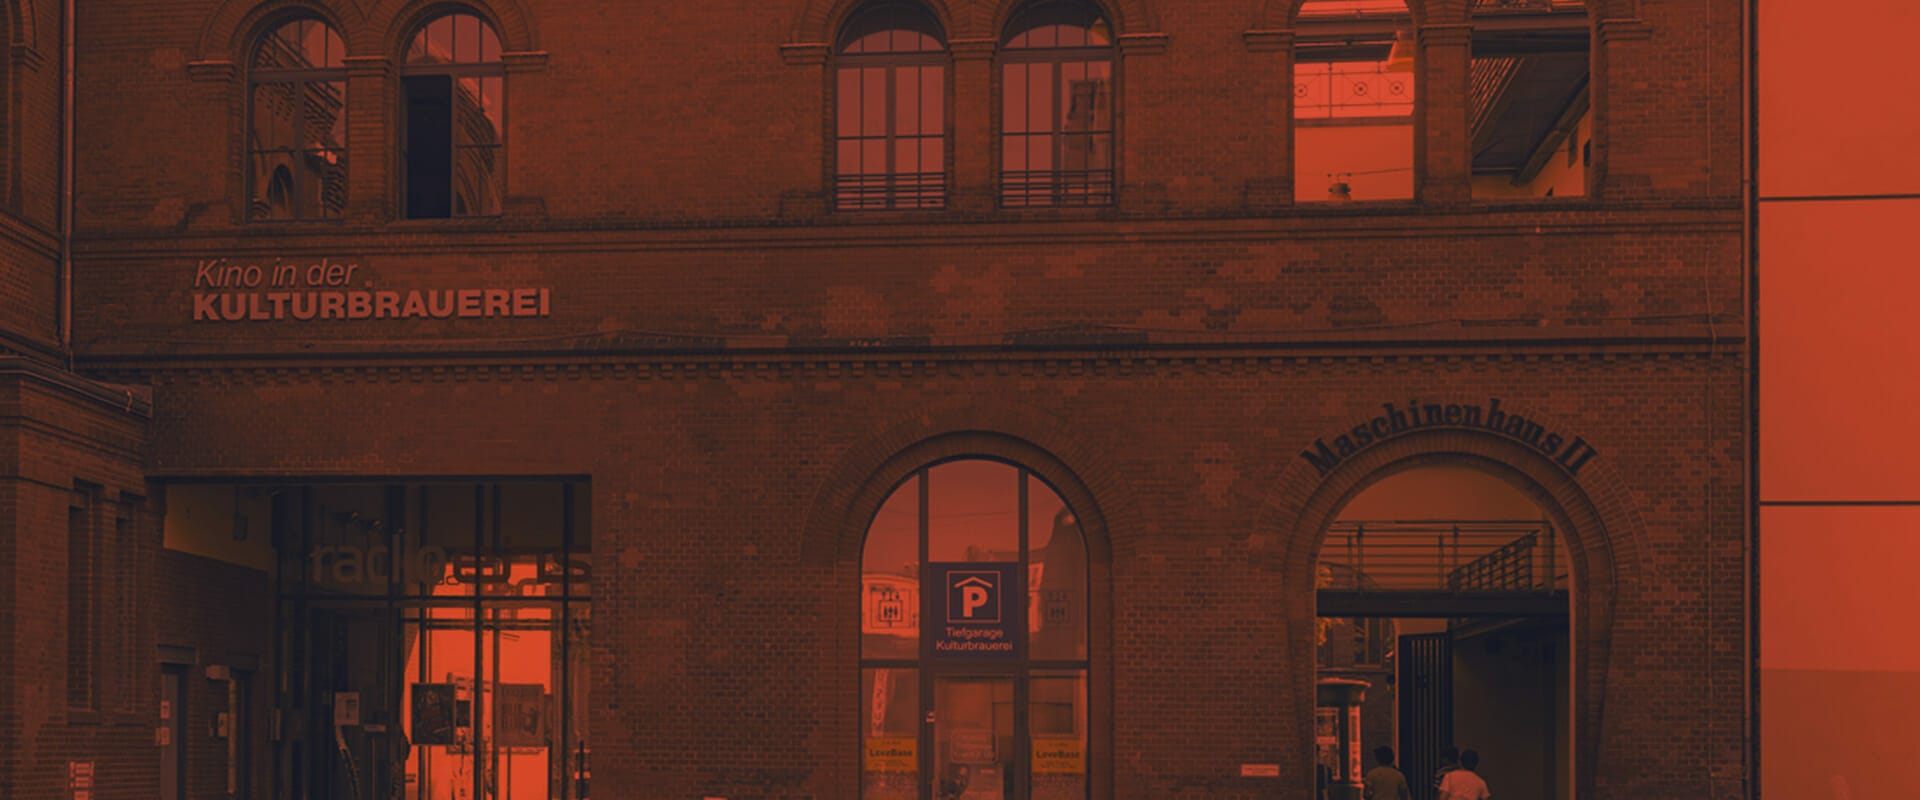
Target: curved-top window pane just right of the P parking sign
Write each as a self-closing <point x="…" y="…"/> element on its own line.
<point x="1059" y="576"/>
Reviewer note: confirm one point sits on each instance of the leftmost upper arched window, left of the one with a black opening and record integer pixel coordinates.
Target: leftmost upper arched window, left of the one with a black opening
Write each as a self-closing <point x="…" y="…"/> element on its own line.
<point x="299" y="124"/>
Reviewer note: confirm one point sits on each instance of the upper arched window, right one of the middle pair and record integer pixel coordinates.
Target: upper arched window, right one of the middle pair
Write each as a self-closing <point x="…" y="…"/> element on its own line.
<point x="1057" y="106"/>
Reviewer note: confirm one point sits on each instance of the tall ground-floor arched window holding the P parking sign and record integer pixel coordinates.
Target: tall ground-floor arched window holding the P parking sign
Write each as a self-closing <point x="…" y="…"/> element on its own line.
<point x="974" y="615"/>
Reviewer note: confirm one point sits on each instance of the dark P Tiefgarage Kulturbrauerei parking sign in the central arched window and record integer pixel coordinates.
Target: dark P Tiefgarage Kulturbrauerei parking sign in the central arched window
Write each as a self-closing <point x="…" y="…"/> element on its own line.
<point x="976" y="611"/>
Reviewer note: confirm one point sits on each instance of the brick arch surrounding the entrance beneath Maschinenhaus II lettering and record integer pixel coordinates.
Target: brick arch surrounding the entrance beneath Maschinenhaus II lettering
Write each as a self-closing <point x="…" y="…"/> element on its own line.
<point x="1604" y="534"/>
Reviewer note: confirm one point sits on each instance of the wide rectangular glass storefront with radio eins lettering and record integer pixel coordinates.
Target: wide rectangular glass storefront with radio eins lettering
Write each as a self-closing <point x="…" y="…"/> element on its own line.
<point x="439" y="642"/>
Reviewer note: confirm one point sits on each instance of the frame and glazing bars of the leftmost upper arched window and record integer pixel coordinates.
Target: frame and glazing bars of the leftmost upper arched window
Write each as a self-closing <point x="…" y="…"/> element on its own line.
<point x="300" y="80"/>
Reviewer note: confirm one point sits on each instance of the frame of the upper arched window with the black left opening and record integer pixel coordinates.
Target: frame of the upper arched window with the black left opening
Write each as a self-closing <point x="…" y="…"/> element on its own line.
<point x="454" y="72"/>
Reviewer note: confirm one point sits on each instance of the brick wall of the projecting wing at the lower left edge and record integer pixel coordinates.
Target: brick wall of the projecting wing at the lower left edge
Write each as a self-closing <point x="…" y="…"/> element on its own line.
<point x="57" y="436"/>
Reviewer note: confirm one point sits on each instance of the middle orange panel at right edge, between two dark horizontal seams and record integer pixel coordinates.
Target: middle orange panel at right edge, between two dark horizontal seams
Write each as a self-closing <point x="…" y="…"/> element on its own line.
<point x="1840" y="352"/>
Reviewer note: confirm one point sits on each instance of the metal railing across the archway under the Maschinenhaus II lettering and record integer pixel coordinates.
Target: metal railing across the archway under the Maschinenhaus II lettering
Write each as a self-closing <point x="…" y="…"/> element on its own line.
<point x="1445" y="555"/>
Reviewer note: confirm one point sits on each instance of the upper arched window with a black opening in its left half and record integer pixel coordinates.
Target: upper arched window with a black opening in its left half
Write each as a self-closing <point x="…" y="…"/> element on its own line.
<point x="456" y="103"/>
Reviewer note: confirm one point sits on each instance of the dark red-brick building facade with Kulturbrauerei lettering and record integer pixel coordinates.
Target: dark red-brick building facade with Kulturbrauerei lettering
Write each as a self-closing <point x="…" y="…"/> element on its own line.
<point x="646" y="310"/>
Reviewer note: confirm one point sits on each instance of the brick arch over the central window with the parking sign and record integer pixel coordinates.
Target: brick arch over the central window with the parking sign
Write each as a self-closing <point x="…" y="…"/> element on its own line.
<point x="867" y="475"/>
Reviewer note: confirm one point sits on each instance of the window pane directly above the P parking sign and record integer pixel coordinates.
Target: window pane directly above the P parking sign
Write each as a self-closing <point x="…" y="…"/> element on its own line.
<point x="974" y="513"/>
